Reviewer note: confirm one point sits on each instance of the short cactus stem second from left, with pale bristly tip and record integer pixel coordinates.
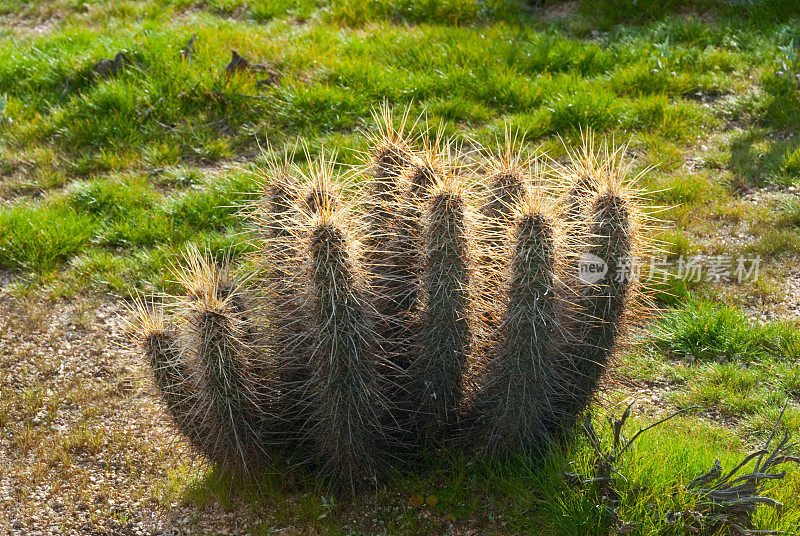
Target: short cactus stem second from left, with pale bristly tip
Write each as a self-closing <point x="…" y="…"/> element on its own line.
<point x="222" y="344"/>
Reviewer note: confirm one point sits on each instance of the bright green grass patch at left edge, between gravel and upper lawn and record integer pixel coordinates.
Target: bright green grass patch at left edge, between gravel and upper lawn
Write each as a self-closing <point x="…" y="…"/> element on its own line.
<point x="120" y="233"/>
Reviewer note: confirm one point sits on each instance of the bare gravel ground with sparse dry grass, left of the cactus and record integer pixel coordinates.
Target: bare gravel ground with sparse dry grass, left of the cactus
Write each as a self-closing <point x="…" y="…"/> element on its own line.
<point x="84" y="445"/>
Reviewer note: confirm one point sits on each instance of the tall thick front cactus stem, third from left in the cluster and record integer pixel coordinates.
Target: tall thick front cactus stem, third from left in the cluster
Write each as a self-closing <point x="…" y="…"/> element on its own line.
<point x="346" y="403"/>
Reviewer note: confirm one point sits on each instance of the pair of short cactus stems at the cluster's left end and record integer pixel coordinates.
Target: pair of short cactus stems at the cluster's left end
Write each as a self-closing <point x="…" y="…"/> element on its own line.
<point x="203" y="366"/>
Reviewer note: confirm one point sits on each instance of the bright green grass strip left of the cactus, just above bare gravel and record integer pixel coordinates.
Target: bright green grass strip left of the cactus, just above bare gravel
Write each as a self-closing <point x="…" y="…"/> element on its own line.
<point x="116" y="216"/>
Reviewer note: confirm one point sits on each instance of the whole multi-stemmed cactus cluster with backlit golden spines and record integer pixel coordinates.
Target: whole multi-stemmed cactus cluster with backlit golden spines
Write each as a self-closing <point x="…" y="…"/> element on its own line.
<point x="436" y="302"/>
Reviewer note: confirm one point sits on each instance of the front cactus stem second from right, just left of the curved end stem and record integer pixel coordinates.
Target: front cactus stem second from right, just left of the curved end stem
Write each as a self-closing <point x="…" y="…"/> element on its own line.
<point x="515" y="395"/>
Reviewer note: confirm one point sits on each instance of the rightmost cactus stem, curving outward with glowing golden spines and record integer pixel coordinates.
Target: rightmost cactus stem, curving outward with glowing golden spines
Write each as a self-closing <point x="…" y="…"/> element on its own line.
<point x="603" y="217"/>
